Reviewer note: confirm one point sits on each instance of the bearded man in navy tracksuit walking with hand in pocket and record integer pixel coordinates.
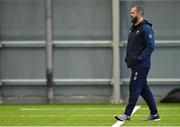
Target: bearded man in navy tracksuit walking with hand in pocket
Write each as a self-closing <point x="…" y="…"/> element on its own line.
<point x="138" y="58"/>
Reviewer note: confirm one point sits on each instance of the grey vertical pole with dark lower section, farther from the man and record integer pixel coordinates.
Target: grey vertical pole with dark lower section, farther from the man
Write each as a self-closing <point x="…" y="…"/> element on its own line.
<point x="49" y="51"/>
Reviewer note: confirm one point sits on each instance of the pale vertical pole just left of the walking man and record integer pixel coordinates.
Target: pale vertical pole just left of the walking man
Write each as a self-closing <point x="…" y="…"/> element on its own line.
<point x="116" y="52"/>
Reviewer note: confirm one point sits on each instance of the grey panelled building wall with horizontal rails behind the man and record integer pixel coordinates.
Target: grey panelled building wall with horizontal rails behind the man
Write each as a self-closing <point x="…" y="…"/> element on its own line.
<point x="82" y="72"/>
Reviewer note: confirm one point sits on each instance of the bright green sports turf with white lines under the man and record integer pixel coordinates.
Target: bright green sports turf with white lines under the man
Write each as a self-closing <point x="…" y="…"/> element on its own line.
<point x="83" y="115"/>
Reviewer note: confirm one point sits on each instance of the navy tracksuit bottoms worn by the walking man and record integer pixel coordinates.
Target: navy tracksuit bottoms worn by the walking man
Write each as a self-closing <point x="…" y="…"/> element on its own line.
<point x="138" y="86"/>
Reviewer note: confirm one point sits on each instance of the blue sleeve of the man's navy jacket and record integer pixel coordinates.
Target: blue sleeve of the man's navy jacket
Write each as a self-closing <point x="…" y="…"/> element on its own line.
<point x="148" y="36"/>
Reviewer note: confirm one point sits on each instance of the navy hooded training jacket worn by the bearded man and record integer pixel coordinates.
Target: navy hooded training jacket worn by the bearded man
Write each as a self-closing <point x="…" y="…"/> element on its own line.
<point x="140" y="45"/>
